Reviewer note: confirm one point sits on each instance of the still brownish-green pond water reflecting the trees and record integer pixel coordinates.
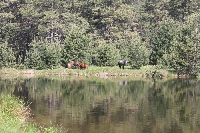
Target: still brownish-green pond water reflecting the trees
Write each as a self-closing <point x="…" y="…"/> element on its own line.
<point x="95" y="105"/>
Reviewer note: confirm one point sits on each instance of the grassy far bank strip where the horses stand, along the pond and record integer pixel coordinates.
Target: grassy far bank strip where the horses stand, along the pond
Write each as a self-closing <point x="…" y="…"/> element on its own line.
<point x="144" y="72"/>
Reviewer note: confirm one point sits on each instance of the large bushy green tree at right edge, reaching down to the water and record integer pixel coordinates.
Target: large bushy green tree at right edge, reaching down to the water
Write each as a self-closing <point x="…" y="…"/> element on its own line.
<point x="186" y="51"/>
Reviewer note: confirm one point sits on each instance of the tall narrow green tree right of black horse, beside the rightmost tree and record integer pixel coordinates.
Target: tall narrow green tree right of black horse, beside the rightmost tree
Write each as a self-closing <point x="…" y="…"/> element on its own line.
<point x="161" y="42"/>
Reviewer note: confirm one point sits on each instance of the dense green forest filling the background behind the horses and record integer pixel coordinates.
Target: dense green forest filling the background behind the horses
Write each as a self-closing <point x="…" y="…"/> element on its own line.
<point x="47" y="34"/>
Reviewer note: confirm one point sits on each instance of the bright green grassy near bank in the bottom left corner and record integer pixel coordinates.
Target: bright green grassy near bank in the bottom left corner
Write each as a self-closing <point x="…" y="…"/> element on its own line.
<point x="14" y="115"/>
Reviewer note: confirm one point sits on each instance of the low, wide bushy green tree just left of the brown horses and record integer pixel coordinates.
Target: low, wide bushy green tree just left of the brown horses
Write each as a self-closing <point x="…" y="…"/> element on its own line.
<point x="44" y="55"/>
